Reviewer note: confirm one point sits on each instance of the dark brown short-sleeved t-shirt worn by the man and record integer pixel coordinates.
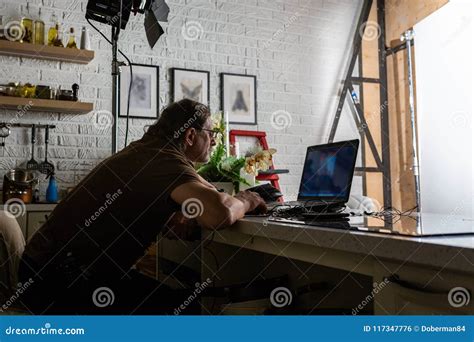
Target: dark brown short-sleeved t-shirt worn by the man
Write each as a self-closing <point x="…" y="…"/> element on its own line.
<point x="116" y="212"/>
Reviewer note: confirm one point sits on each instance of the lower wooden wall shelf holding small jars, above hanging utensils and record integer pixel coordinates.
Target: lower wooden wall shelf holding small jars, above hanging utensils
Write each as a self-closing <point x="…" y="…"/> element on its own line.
<point x="40" y="105"/>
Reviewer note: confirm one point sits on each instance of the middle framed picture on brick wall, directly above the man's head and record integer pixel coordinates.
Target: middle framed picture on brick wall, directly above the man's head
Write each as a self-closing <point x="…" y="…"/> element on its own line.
<point x="190" y="84"/>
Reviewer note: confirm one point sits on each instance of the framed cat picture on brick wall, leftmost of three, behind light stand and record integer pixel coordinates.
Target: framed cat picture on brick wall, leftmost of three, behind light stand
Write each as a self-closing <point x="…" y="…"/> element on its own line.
<point x="144" y="94"/>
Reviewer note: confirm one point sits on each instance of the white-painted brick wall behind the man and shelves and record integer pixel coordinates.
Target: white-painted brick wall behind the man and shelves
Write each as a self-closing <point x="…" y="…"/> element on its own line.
<point x="296" y="48"/>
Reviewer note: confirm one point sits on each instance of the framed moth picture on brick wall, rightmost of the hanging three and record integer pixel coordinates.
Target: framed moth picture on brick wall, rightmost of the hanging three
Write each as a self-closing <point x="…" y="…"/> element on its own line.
<point x="239" y="98"/>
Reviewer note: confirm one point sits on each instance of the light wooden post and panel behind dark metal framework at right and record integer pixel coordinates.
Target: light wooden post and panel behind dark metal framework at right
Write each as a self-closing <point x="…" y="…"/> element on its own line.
<point x="401" y="15"/>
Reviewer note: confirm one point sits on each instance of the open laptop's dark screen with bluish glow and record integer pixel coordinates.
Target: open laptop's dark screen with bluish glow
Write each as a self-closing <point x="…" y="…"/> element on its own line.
<point x="328" y="171"/>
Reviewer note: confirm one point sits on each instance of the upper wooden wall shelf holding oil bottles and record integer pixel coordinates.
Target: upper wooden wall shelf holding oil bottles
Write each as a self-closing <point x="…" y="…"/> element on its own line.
<point x="55" y="53"/>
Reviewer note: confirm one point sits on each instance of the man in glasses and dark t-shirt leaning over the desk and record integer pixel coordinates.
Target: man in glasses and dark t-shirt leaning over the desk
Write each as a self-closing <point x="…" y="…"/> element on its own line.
<point x="81" y="260"/>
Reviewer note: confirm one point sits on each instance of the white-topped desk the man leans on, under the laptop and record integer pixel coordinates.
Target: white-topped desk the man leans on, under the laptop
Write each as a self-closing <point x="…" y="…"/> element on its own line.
<point x="428" y="267"/>
